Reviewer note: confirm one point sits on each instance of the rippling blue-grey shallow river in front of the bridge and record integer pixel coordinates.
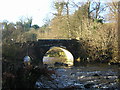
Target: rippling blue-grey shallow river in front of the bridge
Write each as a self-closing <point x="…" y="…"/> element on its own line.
<point x="82" y="77"/>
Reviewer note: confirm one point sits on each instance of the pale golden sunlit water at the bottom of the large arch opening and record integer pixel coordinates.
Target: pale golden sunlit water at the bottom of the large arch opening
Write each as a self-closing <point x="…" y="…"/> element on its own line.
<point x="52" y="60"/>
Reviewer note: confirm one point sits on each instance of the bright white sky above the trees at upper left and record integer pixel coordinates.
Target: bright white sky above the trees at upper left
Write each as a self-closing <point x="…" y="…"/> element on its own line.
<point x="14" y="10"/>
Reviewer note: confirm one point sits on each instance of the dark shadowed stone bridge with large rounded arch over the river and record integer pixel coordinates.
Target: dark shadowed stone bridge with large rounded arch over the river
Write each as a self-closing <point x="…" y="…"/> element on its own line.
<point x="37" y="49"/>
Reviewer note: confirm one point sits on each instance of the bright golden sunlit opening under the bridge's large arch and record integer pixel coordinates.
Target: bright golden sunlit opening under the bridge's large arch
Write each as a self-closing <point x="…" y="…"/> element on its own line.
<point x="67" y="56"/>
